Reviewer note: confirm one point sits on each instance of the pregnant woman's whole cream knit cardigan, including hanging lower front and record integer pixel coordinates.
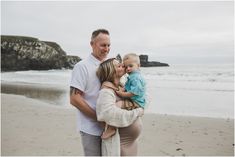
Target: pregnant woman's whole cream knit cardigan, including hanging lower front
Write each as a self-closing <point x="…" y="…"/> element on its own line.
<point x="108" y="112"/>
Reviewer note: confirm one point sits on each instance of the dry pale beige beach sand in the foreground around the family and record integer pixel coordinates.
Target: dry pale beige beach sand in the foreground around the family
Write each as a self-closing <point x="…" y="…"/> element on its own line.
<point x="31" y="127"/>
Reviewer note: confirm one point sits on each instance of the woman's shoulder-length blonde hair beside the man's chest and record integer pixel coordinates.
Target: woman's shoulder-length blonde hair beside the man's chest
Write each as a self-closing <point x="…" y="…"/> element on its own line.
<point x="106" y="71"/>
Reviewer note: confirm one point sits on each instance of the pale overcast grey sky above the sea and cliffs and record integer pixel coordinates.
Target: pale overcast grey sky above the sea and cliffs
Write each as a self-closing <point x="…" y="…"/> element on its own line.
<point x="175" y="32"/>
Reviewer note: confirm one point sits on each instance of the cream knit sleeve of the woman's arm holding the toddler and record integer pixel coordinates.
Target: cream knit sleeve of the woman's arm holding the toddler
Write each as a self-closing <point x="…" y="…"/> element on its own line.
<point x="108" y="112"/>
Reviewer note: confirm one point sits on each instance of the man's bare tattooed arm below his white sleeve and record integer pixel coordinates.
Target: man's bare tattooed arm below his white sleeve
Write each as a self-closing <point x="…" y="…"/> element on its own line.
<point x="77" y="101"/>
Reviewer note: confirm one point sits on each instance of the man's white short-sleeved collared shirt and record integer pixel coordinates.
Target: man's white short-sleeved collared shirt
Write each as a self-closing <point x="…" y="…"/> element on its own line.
<point x="84" y="78"/>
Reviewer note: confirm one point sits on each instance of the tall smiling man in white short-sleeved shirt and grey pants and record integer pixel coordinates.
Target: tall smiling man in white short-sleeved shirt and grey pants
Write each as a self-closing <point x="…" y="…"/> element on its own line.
<point x="84" y="88"/>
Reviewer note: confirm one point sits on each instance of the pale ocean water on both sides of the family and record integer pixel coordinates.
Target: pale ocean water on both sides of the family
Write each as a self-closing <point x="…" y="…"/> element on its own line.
<point x="190" y="90"/>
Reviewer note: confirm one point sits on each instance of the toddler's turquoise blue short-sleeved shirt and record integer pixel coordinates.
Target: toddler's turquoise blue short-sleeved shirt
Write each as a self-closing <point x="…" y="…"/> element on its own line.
<point x="136" y="84"/>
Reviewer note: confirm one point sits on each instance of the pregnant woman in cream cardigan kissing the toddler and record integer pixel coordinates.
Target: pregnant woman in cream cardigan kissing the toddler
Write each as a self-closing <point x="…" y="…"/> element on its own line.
<point x="110" y="73"/>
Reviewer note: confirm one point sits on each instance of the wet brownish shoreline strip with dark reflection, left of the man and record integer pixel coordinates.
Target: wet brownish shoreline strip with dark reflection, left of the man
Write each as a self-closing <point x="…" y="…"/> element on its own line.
<point x="53" y="94"/>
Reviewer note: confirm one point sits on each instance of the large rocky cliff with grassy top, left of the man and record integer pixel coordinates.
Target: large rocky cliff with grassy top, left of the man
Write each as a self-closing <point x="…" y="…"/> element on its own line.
<point x="27" y="53"/>
